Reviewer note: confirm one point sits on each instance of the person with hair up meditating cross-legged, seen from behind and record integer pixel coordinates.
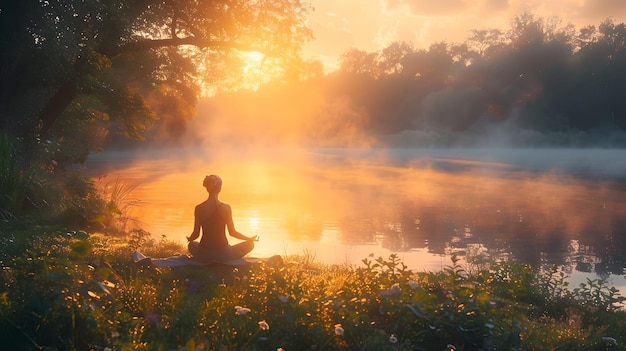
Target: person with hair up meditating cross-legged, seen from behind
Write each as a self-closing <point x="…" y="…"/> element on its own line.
<point x="214" y="217"/>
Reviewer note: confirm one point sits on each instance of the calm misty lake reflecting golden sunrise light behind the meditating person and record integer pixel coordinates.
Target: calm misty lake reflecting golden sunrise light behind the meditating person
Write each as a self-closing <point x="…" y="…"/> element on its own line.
<point x="339" y="206"/>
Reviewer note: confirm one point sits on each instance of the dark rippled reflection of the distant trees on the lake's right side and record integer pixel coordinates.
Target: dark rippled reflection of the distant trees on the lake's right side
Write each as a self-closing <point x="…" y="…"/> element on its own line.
<point x="589" y="236"/>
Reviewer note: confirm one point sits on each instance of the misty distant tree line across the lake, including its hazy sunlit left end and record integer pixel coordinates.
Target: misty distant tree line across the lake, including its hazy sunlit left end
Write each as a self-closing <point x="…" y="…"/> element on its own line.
<point x="539" y="82"/>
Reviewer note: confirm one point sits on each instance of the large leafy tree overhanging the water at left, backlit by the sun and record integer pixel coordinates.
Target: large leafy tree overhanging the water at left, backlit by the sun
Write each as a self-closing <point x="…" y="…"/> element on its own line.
<point x="120" y="64"/>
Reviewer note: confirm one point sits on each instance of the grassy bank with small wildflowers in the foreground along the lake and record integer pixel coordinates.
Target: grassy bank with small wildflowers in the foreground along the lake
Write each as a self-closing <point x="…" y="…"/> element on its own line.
<point x="75" y="291"/>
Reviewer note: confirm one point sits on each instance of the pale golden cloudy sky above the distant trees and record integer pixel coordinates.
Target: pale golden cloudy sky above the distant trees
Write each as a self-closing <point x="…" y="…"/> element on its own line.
<point x="369" y="25"/>
